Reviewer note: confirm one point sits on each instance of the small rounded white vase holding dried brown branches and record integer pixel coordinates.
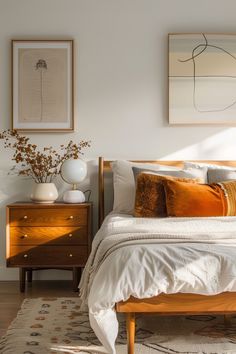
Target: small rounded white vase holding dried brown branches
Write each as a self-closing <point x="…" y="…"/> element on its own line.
<point x="44" y="193"/>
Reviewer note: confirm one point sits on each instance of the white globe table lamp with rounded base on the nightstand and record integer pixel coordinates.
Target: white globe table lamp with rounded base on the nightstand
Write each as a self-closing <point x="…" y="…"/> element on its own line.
<point x="73" y="172"/>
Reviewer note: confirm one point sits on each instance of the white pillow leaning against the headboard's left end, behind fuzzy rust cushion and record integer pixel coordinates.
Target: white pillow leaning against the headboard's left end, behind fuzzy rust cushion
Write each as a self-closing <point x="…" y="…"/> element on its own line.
<point x="124" y="183"/>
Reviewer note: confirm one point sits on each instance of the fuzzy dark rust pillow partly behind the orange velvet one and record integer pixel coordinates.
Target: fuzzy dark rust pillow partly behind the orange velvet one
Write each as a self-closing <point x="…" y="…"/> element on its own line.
<point x="150" y="194"/>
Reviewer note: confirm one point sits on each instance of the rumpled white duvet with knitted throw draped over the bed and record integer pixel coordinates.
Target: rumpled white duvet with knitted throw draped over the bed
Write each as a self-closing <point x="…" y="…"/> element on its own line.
<point x="144" y="257"/>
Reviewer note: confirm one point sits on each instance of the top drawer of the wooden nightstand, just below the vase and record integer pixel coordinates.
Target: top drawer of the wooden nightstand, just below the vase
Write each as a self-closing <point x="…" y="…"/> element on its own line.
<point x="48" y="217"/>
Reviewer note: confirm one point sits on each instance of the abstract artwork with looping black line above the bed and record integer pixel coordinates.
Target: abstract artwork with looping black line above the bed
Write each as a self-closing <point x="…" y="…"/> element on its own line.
<point x="202" y="78"/>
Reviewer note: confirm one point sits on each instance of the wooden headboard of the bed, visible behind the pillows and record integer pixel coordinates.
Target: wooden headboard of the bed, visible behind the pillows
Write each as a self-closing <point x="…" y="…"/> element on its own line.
<point x="105" y="166"/>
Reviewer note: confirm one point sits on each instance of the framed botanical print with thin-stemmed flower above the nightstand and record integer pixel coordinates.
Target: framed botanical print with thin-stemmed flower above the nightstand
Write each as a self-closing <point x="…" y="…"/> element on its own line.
<point x="42" y="85"/>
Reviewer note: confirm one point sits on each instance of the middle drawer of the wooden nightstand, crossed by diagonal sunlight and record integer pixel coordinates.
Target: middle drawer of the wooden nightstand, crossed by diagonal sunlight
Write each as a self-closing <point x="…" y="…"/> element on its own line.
<point x="60" y="235"/>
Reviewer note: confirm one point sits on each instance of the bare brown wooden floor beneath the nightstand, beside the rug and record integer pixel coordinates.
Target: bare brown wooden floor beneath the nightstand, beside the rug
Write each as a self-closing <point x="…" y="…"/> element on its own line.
<point x="11" y="298"/>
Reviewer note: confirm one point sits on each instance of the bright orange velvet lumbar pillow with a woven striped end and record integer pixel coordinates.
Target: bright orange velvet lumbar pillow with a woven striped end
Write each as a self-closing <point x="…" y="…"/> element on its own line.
<point x="189" y="199"/>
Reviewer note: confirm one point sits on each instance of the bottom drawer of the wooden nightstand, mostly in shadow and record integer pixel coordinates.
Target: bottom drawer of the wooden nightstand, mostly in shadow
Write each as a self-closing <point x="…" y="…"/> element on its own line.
<point x="44" y="256"/>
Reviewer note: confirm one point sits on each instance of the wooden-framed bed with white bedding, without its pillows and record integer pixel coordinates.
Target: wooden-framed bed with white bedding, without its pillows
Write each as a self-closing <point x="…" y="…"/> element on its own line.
<point x="108" y="279"/>
